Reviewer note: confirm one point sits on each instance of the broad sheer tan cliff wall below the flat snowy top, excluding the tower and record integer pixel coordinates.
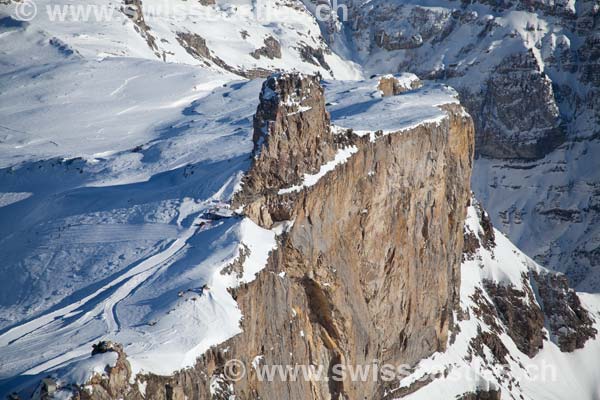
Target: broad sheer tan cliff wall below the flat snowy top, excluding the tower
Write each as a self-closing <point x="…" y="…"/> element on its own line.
<point x="370" y="267"/>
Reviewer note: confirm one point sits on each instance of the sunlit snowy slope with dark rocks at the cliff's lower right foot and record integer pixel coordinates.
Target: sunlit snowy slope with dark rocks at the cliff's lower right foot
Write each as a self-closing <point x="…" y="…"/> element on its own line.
<point x="503" y="330"/>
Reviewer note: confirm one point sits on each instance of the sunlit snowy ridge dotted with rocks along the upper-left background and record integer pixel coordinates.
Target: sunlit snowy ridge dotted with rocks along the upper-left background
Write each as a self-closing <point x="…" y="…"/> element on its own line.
<point x="244" y="37"/>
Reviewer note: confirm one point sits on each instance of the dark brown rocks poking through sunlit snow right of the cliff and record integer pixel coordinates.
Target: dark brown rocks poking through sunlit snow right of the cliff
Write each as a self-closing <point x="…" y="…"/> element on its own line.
<point x="544" y="300"/>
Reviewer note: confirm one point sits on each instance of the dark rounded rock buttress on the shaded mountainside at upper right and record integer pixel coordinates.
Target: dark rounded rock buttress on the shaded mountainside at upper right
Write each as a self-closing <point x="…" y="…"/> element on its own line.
<point x="517" y="115"/>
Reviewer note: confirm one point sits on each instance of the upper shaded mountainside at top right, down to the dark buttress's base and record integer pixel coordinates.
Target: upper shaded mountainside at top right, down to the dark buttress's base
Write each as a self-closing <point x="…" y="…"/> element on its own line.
<point x="526" y="70"/>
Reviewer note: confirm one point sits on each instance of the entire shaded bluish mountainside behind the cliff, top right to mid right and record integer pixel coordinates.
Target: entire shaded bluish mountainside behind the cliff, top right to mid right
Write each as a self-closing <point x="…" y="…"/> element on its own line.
<point x="528" y="73"/>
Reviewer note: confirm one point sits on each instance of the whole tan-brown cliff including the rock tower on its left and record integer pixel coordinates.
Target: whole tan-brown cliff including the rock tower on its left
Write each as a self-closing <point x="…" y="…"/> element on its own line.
<point x="368" y="266"/>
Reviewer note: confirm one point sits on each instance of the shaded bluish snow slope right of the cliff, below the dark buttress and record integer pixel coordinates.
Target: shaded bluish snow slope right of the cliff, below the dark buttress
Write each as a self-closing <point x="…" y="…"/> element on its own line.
<point x="549" y="208"/>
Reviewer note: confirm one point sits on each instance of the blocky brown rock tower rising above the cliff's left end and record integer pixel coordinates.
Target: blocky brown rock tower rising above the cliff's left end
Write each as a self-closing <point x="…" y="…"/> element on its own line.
<point x="292" y="136"/>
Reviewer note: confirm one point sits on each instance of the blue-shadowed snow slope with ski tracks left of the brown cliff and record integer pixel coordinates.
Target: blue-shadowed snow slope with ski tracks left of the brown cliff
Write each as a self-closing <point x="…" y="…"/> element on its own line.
<point x="120" y="243"/>
